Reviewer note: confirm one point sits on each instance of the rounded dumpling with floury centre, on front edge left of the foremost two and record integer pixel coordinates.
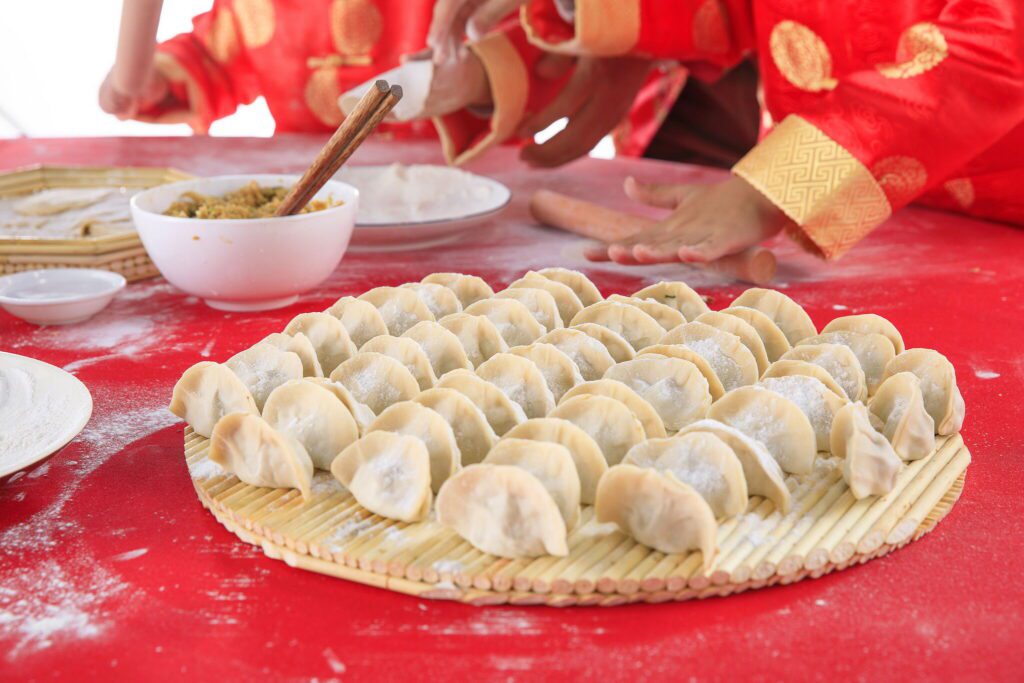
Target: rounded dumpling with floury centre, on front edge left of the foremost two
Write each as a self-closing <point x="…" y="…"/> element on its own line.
<point x="389" y="475"/>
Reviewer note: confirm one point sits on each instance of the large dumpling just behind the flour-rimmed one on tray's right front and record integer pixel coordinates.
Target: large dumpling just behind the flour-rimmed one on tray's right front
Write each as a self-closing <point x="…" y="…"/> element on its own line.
<point x="774" y="420"/>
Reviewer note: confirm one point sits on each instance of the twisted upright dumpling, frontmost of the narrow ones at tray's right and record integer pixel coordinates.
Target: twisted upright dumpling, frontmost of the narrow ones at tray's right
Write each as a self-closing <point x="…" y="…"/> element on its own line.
<point x="870" y="465"/>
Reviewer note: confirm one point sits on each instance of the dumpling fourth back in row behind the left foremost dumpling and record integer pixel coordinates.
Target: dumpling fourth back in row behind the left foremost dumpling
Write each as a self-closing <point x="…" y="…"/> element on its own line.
<point x="613" y="426"/>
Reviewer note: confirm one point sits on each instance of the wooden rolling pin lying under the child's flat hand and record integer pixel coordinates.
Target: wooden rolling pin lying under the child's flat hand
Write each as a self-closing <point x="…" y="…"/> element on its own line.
<point x="755" y="265"/>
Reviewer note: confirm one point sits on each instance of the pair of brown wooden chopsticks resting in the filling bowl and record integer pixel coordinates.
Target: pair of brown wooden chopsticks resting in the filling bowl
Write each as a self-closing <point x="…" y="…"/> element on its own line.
<point x="368" y="114"/>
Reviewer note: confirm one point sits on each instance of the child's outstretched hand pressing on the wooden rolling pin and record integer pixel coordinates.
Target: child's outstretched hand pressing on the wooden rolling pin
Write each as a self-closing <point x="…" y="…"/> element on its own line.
<point x="708" y="222"/>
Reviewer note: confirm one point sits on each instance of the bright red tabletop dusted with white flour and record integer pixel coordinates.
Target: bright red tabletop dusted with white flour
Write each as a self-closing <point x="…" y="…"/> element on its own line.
<point x="111" y="569"/>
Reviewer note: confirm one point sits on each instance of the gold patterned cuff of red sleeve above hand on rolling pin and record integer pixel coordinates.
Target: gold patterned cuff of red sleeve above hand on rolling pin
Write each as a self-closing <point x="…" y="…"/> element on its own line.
<point x="818" y="184"/>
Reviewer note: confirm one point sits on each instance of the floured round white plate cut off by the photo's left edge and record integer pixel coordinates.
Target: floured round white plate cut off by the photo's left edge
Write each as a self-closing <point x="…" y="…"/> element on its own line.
<point x="42" y="408"/>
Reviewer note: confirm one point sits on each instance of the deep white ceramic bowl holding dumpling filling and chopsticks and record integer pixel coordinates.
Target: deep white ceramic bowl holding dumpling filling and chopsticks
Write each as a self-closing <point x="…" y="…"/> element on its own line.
<point x="245" y="265"/>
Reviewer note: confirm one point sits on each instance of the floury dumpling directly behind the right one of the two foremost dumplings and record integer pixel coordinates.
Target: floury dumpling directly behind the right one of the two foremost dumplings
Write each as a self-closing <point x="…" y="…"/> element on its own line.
<point x="704" y="462"/>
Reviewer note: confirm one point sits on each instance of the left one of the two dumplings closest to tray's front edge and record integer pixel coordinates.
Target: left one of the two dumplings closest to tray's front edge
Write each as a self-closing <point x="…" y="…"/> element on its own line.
<point x="503" y="510"/>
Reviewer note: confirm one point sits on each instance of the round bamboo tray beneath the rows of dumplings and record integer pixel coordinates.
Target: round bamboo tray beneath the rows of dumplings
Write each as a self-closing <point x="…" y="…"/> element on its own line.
<point x="828" y="530"/>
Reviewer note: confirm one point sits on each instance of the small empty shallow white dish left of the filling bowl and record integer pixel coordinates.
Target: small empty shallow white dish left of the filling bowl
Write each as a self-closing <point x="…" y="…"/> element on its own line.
<point x="59" y="296"/>
